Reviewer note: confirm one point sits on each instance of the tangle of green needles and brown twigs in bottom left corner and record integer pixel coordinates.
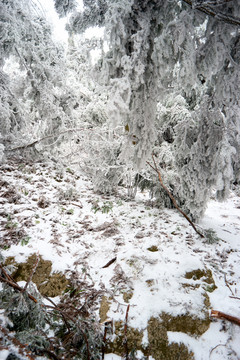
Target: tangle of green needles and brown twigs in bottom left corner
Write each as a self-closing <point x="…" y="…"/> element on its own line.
<point x="32" y="325"/>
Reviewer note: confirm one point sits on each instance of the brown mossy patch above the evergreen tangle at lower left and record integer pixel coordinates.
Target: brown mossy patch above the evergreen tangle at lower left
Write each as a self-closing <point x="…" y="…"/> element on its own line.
<point x="47" y="284"/>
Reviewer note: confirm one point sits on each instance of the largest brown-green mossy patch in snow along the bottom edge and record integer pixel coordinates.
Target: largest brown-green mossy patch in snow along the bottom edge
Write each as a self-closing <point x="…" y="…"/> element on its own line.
<point x="158" y="345"/>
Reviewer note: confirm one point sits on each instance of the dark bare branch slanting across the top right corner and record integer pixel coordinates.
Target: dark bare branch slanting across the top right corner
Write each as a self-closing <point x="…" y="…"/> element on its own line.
<point x="209" y="10"/>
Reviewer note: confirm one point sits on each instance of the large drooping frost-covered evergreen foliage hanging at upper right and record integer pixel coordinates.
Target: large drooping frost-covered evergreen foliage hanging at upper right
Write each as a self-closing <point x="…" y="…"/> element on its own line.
<point x="173" y="77"/>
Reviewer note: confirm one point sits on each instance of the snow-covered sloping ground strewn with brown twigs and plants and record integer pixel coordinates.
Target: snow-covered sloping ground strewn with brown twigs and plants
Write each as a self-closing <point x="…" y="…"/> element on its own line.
<point x="132" y="253"/>
